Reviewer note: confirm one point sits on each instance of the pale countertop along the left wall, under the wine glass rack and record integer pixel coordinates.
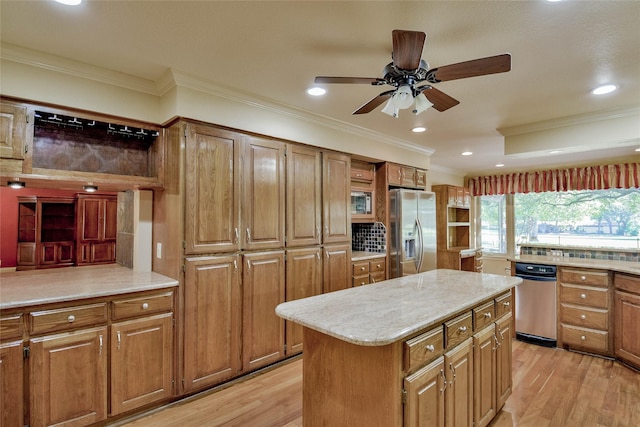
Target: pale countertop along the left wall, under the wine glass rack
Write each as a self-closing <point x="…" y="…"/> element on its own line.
<point x="35" y="287"/>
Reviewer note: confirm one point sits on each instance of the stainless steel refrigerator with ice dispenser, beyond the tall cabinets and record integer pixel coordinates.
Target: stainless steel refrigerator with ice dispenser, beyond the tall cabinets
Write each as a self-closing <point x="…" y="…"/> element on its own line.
<point x="412" y="246"/>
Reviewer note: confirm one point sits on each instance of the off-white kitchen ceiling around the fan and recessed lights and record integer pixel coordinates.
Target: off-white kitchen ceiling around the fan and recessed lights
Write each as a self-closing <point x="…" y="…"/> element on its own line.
<point x="273" y="50"/>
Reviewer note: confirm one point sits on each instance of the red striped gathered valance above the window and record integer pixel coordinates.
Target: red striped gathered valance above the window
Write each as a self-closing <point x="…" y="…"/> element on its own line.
<point x="585" y="178"/>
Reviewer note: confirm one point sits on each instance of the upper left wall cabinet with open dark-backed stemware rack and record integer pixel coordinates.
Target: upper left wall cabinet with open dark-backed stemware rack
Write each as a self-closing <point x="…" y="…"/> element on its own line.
<point x="73" y="146"/>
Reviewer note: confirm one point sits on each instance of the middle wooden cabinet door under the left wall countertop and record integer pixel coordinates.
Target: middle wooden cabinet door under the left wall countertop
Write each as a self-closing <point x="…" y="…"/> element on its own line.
<point x="68" y="378"/>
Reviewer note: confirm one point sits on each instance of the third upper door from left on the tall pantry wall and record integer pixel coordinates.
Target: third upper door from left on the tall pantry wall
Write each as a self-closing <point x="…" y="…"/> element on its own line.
<point x="304" y="187"/>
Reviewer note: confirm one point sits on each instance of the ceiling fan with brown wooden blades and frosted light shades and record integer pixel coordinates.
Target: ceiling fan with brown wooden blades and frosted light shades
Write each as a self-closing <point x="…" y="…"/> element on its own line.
<point x="408" y="70"/>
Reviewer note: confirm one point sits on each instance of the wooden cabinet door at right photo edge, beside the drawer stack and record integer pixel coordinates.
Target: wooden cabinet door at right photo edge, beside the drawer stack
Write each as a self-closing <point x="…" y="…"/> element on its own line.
<point x="627" y="325"/>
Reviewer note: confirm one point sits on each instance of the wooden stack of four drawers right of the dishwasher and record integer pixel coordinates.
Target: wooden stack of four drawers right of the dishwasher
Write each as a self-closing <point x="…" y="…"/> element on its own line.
<point x="585" y="308"/>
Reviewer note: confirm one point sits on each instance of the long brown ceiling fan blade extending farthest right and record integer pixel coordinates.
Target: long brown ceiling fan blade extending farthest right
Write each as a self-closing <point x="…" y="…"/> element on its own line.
<point x="473" y="68"/>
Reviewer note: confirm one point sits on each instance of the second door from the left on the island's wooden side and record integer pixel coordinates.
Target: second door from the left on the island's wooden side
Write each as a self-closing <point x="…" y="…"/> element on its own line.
<point x="458" y="365"/>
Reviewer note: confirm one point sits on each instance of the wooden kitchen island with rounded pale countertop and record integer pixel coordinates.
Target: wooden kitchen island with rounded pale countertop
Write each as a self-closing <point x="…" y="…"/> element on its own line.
<point x="363" y="345"/>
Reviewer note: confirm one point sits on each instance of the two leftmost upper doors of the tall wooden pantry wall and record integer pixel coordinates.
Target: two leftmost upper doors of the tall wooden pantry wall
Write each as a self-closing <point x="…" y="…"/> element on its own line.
<point x="225" y="168"/>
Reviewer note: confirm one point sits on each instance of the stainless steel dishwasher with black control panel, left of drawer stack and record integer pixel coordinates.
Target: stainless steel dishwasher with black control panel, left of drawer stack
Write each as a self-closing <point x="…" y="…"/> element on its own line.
<point x="536" y="304"/>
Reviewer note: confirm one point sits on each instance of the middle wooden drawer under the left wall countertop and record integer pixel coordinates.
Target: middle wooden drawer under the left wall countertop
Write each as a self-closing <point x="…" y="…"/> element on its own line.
<point x="67" y="318"/>
